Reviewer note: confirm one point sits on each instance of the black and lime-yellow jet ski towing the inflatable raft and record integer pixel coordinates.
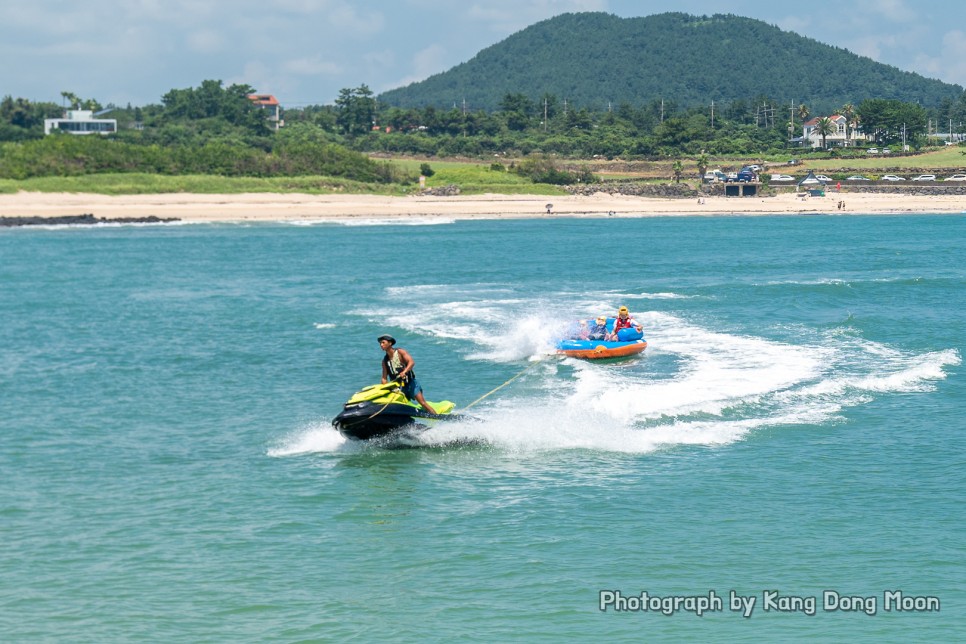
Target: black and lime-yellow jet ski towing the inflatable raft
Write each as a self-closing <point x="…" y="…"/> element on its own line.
<point x="378" y="410"/>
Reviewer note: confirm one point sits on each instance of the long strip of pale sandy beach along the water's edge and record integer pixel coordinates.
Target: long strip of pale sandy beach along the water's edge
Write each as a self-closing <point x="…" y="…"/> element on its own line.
<point x="255" y="207"/>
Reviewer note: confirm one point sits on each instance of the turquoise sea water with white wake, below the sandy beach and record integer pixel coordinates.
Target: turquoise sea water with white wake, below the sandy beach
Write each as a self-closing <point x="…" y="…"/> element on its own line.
<point x="794" y="433"/>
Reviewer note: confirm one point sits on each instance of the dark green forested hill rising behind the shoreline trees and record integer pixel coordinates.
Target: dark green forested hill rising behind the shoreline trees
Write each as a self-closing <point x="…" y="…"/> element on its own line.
<point x="592" y="59"/>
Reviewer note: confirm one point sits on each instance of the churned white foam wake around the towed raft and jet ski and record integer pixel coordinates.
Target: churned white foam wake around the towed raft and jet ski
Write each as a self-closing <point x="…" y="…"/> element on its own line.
<point x="693" y="386"/>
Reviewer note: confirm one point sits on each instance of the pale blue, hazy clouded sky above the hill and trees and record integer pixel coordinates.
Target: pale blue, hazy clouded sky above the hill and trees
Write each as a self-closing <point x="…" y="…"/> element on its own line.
<point x="305" y="51"/>
